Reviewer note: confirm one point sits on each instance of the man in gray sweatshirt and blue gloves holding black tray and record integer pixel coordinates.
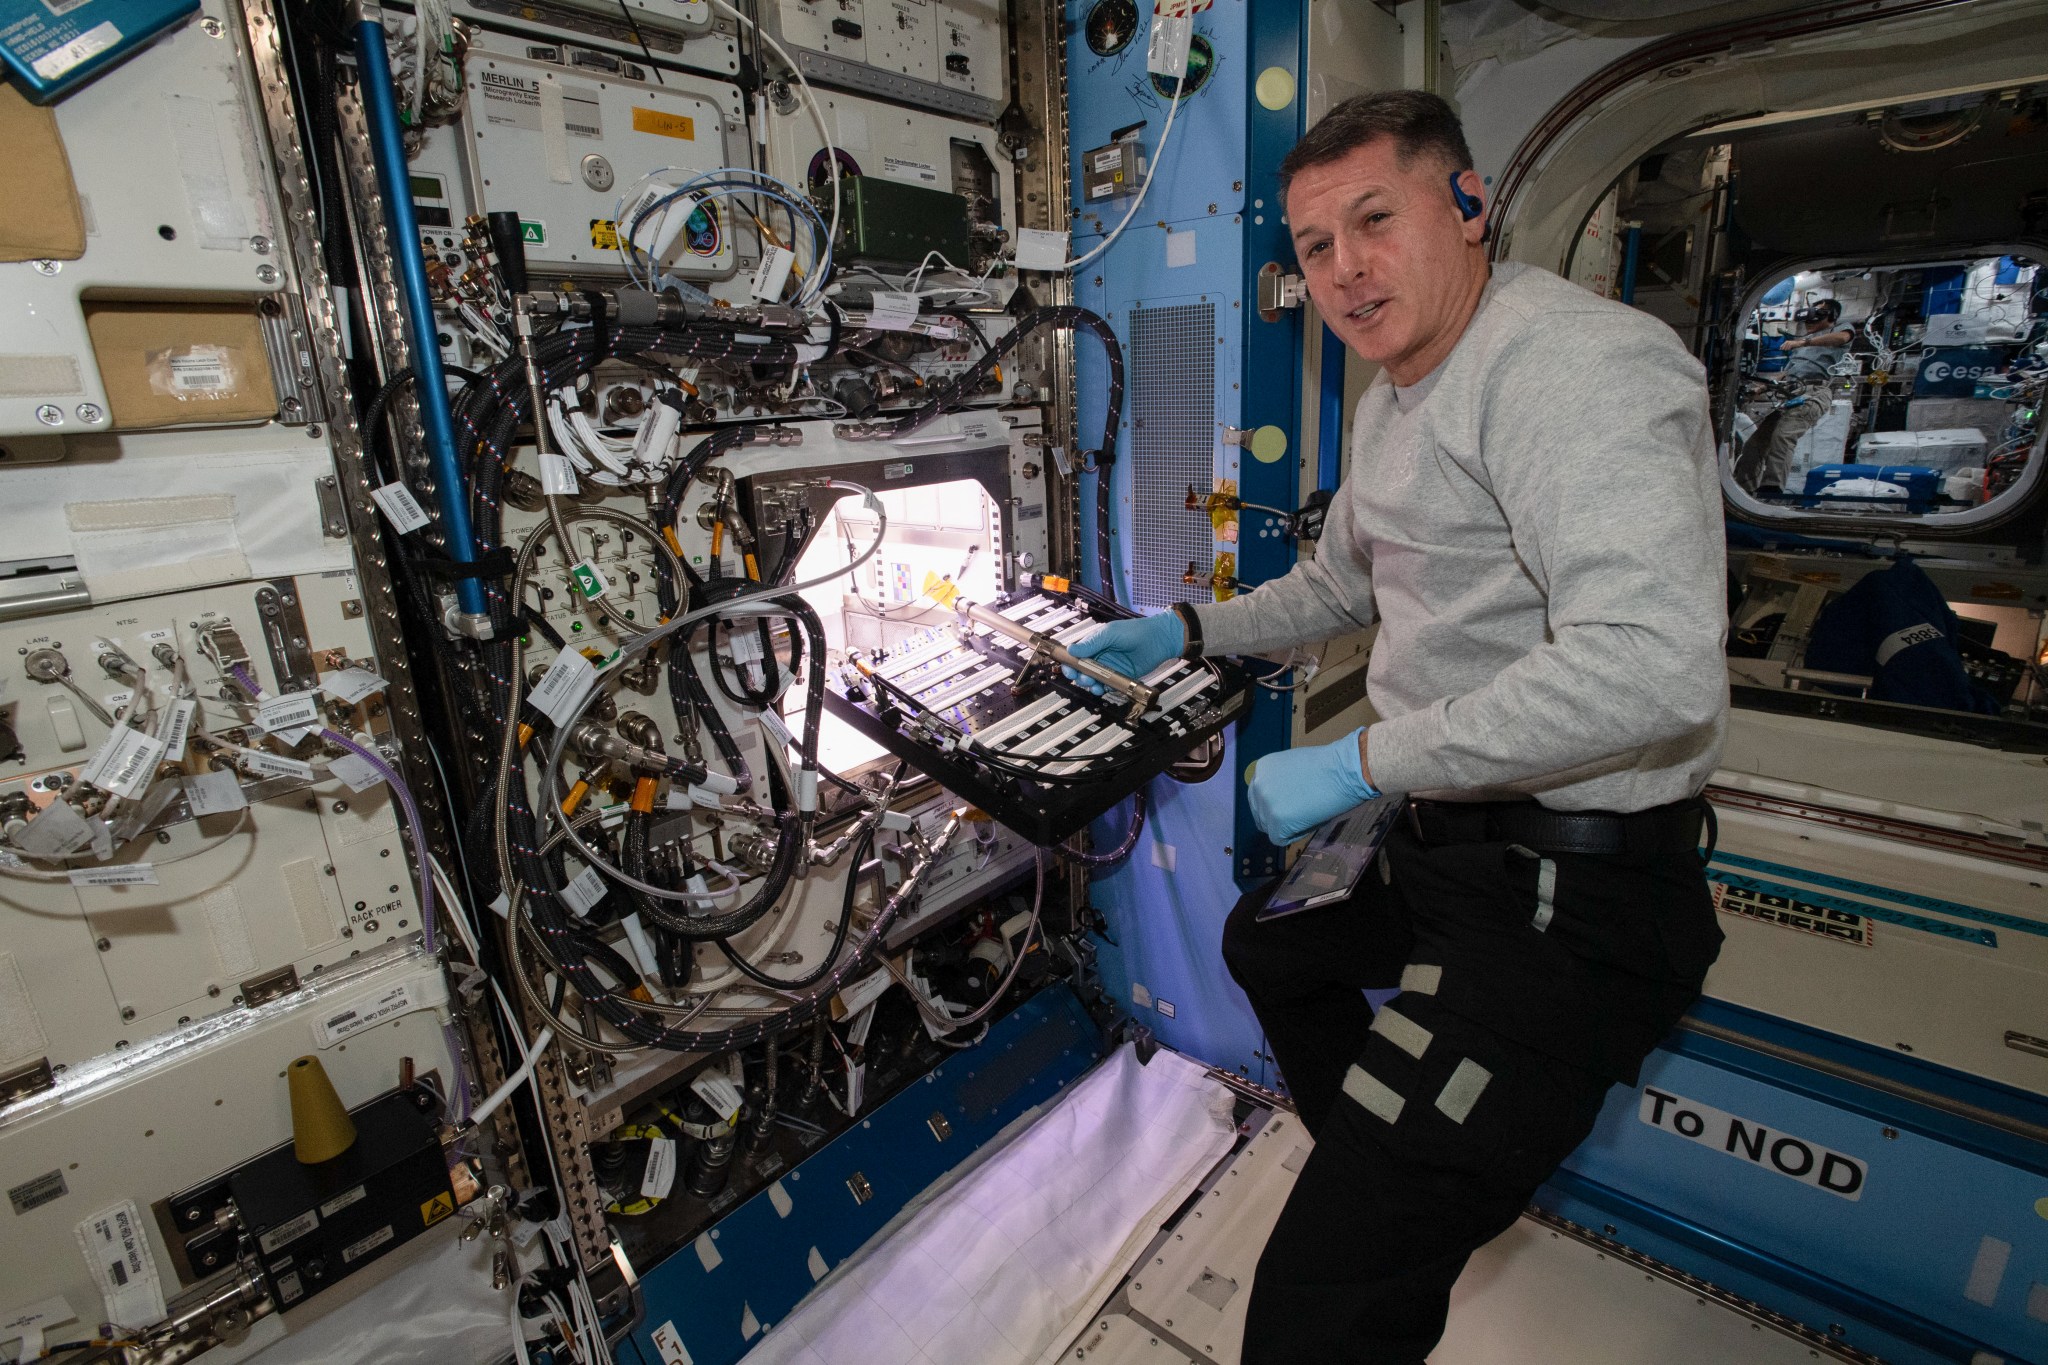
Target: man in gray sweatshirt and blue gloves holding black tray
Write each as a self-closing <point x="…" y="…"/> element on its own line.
<point x="1533" y="517"/>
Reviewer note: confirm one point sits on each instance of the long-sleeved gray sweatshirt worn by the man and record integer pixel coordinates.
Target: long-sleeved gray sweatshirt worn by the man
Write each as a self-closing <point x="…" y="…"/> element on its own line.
<point x="1537" y="529"/>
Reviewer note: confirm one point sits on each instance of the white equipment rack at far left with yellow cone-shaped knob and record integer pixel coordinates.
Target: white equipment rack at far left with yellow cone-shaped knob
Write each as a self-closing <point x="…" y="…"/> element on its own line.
<point x="216" y="938"/>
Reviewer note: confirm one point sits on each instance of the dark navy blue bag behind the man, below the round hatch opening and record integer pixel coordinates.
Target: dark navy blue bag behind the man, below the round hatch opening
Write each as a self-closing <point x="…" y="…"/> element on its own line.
<point x="1897" y="629"/>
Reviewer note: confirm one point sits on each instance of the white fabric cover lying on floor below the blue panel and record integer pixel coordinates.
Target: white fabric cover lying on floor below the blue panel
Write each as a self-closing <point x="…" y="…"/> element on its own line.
<point x="1009" y="1264"/>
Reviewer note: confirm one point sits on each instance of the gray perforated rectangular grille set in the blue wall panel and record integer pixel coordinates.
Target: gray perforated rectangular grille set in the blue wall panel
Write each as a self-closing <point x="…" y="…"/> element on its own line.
<point x="1172" y="445"/>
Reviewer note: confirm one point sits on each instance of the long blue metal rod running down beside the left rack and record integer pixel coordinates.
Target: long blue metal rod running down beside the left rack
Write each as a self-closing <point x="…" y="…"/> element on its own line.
<point x="431" y="388"/>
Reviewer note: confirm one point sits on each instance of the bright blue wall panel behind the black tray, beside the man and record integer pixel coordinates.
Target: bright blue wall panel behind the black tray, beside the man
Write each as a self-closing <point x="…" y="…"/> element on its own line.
<point x="1164" y="928"/>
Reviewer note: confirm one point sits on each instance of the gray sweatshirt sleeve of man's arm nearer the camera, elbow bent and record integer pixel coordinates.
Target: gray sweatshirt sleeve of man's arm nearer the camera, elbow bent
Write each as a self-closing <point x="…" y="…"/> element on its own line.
<point x="1598" y="447"/>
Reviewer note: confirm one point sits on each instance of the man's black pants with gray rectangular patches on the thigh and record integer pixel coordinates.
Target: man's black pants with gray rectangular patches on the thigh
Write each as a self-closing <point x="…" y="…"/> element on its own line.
<point x="1529" y="985"/>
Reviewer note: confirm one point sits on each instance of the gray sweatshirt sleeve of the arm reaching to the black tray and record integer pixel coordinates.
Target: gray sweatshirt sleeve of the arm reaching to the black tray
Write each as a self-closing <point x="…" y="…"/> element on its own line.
<point x="1320" y="599"/>
